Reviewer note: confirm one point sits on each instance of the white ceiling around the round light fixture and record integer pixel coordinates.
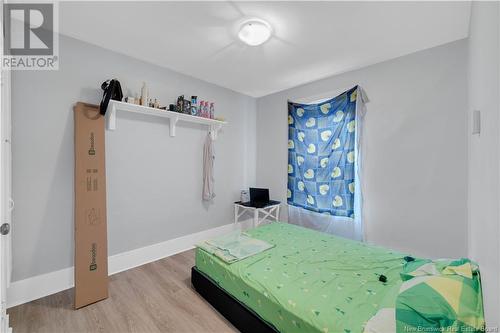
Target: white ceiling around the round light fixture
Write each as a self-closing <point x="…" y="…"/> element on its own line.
<point x="312" y="40"/>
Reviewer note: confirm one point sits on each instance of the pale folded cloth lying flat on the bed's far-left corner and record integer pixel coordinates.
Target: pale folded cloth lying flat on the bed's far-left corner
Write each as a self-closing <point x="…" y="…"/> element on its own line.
<point x="234" y="247"/>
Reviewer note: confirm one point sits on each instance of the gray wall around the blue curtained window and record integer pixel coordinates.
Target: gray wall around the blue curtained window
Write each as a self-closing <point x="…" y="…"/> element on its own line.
<point x="415" y="148"/>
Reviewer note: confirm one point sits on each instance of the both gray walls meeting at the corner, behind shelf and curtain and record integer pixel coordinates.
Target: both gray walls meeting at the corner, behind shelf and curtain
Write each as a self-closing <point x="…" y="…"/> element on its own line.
<point x="414" y="151"/>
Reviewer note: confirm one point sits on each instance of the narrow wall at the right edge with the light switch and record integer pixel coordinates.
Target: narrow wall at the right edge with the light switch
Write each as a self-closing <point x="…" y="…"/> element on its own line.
<point x="484" y="181"/>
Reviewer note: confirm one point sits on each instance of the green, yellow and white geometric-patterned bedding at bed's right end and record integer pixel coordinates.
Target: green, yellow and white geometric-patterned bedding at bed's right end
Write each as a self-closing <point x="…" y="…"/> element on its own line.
<point x="440" y="296"/>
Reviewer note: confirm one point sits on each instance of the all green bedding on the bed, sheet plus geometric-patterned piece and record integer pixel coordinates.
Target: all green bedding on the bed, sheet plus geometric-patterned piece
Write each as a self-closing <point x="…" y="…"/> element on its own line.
<point x="315" y="282"/>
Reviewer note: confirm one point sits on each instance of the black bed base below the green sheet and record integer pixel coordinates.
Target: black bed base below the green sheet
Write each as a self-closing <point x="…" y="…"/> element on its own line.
<point x="241" y="316"/>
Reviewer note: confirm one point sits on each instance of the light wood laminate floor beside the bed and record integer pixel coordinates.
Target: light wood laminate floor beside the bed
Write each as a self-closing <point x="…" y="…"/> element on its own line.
<point x="156" y="297"/>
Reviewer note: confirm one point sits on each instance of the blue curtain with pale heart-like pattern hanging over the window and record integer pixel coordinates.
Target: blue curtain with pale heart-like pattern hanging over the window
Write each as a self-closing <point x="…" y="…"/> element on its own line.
<point x="322" y="155"/>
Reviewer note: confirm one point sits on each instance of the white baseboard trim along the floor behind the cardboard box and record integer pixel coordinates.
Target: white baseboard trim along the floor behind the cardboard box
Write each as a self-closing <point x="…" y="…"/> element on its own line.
<point x="39" y="286"/>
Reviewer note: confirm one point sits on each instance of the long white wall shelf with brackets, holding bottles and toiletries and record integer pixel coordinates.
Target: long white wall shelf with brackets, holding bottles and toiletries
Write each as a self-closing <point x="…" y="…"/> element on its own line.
<point x="174" y="117"/>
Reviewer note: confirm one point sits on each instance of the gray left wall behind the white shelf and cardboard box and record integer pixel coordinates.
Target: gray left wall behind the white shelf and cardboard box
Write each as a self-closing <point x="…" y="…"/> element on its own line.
<point x="154" y="181"/>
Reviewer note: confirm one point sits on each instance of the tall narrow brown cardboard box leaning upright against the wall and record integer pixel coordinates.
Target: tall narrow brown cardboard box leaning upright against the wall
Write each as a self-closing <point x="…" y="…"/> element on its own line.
<point x="91" y="246"/>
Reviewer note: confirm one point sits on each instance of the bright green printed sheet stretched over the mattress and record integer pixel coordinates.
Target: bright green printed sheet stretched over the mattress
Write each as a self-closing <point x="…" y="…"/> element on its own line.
<point x="310" y="281"/>
